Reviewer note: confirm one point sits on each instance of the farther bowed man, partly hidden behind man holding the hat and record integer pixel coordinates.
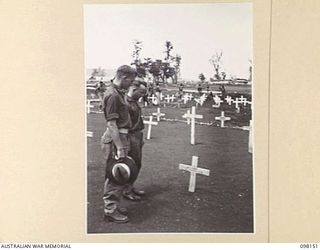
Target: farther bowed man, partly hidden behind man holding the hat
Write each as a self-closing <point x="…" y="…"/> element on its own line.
<point x="137" y="90"/>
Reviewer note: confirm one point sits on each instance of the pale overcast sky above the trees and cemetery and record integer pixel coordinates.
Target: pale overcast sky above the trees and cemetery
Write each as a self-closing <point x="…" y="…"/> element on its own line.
<point x="196" y="31"/>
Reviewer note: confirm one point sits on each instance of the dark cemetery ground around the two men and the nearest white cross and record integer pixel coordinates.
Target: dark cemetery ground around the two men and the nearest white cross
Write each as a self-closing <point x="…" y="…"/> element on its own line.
<point x="222" y="202"/>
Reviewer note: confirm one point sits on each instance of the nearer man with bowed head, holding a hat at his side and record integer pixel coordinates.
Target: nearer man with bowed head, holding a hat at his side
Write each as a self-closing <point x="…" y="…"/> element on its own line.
<point x="115" y="140"/>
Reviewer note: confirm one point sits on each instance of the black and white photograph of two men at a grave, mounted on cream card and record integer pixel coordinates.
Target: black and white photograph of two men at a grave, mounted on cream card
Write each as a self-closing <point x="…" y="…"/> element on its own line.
<point x="169" y="118"/>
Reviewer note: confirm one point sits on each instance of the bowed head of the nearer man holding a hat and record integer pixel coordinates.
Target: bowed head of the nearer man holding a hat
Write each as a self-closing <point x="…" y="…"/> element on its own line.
<point x="125" y="76"/>
